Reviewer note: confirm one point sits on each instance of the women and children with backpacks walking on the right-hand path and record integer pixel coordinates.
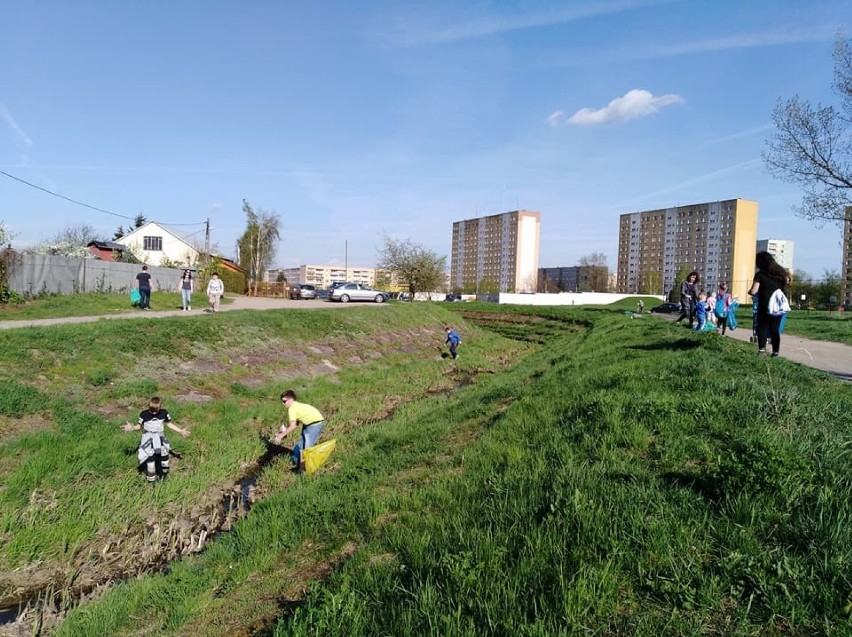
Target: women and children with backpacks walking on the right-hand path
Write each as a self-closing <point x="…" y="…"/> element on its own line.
<point x="718" y="308"/>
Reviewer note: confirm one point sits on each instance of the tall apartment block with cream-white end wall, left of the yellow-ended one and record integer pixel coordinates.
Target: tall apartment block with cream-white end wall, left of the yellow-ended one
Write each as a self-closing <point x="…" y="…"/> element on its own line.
<point x="497" y="253"/>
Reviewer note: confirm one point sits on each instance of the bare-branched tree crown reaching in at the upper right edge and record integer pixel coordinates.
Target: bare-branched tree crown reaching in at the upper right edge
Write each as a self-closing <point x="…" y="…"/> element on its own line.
<point x="812" y="146"/>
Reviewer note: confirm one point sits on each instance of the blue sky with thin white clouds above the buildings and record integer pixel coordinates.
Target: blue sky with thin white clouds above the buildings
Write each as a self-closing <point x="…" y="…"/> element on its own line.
<point x="356" y="120"/>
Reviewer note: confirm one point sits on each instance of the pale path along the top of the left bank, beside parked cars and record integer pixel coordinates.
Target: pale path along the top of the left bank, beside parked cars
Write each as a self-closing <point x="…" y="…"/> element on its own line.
<point x="237" y="303"/>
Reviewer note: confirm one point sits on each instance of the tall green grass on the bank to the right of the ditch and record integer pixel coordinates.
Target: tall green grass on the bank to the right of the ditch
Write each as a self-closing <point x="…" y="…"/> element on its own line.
<point x="625" y="479"/>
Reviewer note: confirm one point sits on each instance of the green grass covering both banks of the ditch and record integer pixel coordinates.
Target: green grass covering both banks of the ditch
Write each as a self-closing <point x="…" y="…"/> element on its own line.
<point x="589" y="475"/>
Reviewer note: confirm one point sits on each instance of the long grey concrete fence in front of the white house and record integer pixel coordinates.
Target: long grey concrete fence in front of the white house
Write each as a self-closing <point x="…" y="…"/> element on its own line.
<point x="34" y="274"/>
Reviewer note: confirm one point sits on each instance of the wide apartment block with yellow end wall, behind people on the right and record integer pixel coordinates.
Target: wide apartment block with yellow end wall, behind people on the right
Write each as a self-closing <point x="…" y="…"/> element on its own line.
<point x="716" y="239"/>
